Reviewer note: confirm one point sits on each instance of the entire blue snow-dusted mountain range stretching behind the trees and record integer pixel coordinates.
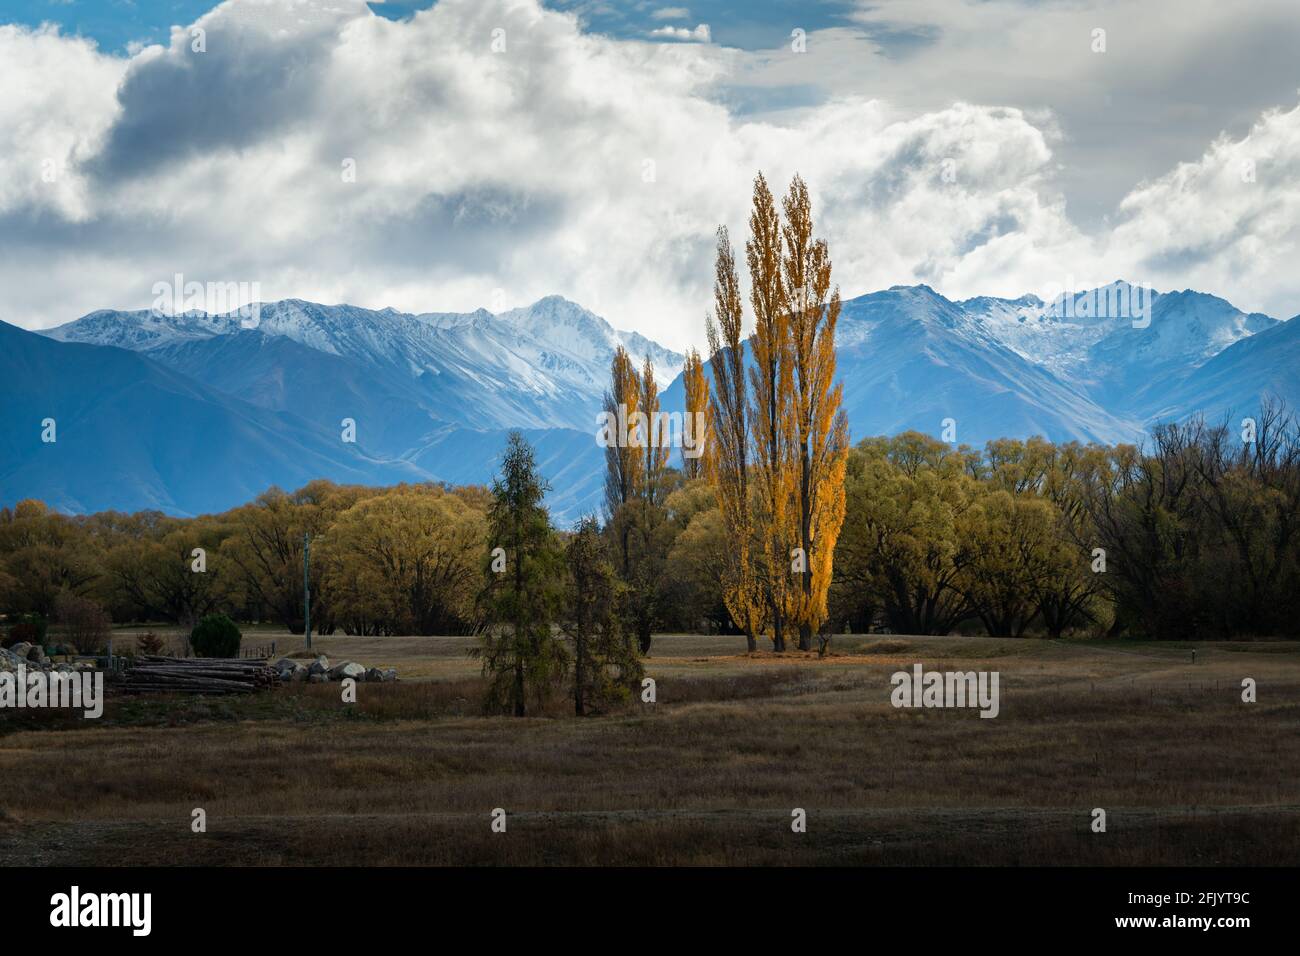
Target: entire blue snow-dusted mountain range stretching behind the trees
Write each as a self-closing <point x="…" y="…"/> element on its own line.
<point x="197" y="413"/>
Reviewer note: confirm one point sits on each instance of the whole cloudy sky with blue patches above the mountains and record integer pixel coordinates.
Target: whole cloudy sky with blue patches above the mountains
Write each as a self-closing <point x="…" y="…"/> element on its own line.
<point x="460" y="154"/>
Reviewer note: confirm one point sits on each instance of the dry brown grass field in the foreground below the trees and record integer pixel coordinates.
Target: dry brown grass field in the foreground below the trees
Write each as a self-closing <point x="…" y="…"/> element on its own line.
<point x="409" y="776"/>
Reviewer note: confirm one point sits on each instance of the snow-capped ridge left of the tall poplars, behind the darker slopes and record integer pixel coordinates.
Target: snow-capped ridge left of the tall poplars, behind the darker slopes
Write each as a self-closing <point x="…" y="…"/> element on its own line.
<point x="539" y="367"/>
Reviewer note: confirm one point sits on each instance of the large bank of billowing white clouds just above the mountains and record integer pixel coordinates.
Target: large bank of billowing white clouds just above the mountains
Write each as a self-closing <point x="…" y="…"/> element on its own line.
<point x="567" y="163"/>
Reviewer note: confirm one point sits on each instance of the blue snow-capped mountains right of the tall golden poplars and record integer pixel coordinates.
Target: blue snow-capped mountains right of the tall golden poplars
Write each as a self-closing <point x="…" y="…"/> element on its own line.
<point x="911" y="358"/>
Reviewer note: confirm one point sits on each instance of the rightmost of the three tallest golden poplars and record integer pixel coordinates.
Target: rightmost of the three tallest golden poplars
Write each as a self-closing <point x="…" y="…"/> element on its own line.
<point x="821" y="429"/>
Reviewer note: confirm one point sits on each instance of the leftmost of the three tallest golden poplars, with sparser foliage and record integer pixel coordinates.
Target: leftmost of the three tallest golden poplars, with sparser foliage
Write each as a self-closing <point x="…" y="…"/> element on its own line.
<point x="727" y="468"/>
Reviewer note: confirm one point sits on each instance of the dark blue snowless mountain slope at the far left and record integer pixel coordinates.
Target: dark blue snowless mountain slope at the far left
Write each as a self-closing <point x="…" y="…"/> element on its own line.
<point x="135" y="435"/>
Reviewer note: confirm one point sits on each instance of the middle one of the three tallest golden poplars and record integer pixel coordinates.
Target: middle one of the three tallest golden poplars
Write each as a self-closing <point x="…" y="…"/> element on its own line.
<point x="773" y="421"/>
